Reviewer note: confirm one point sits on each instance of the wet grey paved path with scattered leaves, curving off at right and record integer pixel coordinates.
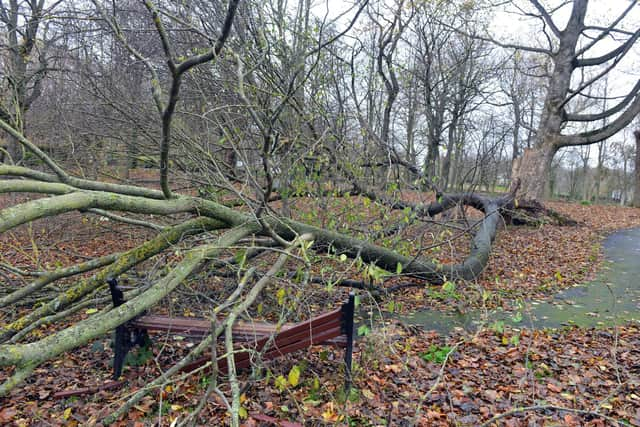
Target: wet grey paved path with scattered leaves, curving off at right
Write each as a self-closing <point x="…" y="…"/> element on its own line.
<point x="612" y="298"/>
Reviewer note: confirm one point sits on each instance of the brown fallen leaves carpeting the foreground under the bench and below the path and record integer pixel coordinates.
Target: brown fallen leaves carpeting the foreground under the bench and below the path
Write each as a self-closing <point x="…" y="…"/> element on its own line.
<point x="397" y="381"/>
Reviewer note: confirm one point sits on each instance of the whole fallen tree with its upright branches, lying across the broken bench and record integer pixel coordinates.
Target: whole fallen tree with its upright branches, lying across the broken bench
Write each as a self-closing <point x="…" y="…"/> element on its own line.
<point x="192" y="233"/>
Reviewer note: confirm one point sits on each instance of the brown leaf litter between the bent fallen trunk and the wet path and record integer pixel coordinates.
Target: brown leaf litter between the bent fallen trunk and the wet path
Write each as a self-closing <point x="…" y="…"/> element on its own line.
<point x="530" y="262"/>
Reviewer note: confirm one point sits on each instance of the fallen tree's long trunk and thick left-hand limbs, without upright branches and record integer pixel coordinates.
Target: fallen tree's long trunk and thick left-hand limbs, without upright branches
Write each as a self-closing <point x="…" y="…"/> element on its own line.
<point x="201" y="217"/>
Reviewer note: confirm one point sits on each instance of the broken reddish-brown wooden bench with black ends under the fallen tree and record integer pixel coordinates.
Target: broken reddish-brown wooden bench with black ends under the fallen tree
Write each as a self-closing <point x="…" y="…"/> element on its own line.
<point x="332" y="328"/>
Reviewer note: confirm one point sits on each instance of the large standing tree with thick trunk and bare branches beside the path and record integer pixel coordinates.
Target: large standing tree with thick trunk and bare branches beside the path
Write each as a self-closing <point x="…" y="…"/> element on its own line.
<point x="534" y="166"/>
